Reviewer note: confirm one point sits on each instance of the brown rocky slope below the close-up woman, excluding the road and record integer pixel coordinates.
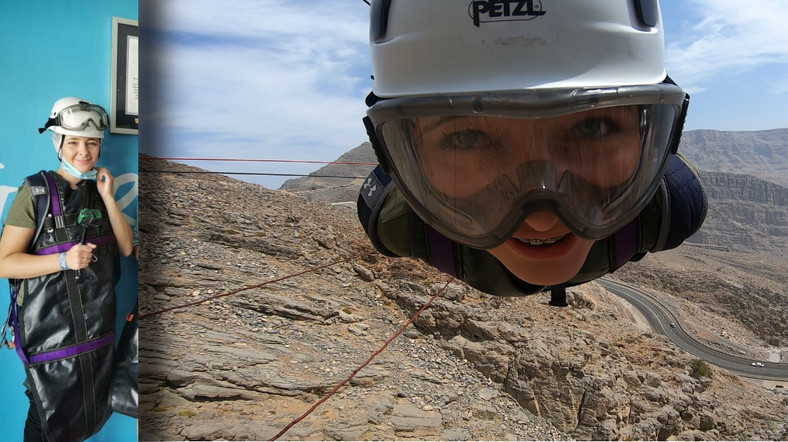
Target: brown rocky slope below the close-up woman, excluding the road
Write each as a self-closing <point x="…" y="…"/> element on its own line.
<point x="256" y="303"/>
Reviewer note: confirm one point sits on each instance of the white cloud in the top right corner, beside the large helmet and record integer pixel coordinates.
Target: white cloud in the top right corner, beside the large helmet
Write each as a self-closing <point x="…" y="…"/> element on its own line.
<point x="731" y="38"/>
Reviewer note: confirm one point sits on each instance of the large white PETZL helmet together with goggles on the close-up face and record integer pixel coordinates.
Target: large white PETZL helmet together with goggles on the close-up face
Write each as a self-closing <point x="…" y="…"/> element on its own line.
<point x="487" y="111"/>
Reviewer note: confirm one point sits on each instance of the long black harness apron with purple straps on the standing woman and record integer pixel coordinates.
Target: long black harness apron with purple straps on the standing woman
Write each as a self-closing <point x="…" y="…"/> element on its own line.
<point x="65" y="321"/>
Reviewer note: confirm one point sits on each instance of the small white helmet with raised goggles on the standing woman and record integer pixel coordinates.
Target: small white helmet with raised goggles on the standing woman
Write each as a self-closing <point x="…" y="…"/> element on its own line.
<point x="77" y="117"/>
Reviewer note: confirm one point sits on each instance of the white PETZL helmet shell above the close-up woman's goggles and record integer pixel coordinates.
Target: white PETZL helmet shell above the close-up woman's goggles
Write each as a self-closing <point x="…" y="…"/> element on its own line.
<point x="456" y="46"/>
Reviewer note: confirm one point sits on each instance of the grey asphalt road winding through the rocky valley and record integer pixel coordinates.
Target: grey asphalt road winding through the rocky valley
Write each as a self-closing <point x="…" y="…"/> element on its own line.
<point x="660" y="318"/>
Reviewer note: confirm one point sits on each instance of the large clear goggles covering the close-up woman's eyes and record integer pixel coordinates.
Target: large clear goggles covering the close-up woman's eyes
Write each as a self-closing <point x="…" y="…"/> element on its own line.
<point x="475" y="166"/>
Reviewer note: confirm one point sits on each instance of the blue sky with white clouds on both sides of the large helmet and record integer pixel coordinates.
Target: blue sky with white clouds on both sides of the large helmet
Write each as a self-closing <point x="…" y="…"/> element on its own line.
<point x="278" y="79"/>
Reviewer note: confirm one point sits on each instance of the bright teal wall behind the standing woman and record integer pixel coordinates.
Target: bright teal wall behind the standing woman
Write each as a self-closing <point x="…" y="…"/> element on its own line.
<point x="50" y="49"/>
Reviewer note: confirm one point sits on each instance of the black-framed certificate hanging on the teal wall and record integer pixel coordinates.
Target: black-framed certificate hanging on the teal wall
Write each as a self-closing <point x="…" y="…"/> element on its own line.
<point x="124" y="97"/>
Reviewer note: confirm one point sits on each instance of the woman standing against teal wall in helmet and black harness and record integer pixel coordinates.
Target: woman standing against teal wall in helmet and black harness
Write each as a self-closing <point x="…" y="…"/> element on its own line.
<point x="60" y="251"/>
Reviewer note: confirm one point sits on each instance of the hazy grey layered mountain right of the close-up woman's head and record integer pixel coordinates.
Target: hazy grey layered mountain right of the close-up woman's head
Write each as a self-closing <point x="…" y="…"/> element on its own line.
<point x="746" y="177"/>
